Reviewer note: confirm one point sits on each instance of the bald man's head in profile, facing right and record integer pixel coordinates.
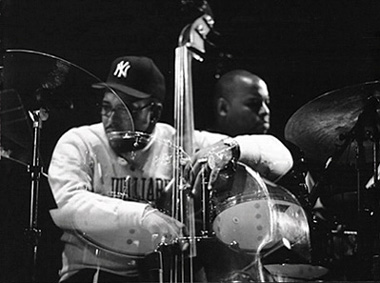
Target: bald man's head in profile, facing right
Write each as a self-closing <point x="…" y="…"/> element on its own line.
<point x="241" y="101"/>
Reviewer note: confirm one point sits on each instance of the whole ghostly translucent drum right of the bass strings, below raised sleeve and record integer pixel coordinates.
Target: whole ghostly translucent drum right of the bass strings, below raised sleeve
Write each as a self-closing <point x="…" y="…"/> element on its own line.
<point x="258" y="214"/>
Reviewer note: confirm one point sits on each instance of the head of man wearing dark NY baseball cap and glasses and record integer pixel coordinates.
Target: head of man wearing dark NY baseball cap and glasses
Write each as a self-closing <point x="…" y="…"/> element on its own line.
<point x="139" y="85"/>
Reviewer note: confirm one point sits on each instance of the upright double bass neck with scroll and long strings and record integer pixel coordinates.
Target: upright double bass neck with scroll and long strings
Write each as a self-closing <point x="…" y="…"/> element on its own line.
<point x="182" y="204"/>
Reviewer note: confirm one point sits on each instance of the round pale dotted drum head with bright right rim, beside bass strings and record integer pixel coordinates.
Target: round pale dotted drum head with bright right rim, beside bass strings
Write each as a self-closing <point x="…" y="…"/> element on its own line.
<point x="244" y="219"/>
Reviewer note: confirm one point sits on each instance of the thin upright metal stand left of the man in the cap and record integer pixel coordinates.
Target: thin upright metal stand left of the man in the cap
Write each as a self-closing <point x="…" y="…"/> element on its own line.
<point x="33" y="233"/>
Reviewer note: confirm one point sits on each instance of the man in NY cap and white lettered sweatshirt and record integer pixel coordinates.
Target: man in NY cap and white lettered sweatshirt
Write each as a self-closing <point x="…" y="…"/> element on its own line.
<point x="88" y="168"/>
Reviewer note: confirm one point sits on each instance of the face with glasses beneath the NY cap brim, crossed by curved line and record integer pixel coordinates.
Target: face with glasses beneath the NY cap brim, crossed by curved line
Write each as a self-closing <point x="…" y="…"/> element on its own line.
<point x="116" y="117"/>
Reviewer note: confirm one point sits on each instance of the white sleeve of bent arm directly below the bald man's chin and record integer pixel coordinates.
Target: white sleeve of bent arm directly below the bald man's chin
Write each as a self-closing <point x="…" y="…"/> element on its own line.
<point x="265" y="154"/>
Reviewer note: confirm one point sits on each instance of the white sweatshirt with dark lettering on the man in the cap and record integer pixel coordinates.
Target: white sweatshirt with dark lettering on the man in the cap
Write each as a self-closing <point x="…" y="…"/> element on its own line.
<point x="92" y="187"/>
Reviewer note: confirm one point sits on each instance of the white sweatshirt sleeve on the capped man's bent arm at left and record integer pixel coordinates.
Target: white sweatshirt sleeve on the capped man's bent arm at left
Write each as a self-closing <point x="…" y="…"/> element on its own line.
<point x="71" y="180"/>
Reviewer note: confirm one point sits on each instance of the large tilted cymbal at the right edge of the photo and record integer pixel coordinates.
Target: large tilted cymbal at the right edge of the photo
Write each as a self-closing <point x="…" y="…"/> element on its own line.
<point x="319" y="126"/>
